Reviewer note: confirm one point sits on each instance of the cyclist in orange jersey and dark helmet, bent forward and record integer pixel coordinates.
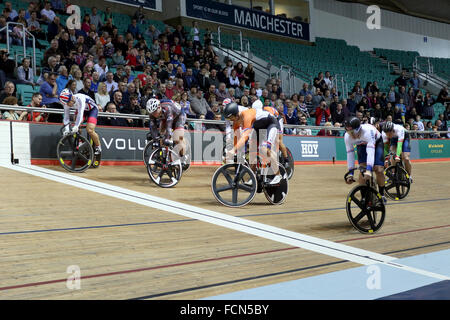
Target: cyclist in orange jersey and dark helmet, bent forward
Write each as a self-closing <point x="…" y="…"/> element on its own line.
<point x="250" y="120"/>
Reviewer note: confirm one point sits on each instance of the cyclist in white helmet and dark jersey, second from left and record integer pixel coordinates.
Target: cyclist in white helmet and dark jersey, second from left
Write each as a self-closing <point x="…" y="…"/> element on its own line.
<point x="167" y="116"/>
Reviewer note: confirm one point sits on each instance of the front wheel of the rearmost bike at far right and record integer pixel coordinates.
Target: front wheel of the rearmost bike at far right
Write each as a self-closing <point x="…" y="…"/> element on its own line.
<point x="397" y="183"/>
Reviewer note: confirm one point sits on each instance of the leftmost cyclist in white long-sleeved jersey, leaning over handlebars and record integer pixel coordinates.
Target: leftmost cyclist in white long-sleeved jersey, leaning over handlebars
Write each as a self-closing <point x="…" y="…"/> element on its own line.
<point x="85" y="108"/>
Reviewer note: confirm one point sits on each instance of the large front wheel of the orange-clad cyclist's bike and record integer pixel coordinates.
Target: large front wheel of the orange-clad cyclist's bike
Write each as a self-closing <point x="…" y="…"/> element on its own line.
<point x="234" y="185"/>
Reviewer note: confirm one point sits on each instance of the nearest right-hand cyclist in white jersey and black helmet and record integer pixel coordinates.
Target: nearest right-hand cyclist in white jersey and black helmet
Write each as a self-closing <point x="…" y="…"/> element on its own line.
<point x="370" y="152"/>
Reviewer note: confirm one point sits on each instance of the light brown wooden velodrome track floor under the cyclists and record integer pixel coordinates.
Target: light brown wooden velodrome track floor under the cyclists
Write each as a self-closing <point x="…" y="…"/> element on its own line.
<point x="125" y="250"/>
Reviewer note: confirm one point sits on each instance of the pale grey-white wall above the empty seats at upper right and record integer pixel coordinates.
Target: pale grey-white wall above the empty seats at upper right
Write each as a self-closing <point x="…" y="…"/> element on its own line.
<point x="355" y="32"/>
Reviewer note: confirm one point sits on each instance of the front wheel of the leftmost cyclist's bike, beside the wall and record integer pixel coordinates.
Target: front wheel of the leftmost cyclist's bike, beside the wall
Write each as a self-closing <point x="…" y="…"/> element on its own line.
<point x="75" y="153"/>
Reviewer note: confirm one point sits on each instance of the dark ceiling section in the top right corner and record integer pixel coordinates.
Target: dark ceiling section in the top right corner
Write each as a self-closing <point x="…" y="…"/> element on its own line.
<point x="437" y="10"/>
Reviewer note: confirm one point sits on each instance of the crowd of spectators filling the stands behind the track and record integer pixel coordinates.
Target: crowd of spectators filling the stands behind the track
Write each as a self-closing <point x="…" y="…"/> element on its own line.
<point x="174" y="64"/>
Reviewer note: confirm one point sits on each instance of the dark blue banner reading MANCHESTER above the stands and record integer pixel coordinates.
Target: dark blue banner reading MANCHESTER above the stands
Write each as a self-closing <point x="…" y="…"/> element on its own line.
<point x="246" y="18"/>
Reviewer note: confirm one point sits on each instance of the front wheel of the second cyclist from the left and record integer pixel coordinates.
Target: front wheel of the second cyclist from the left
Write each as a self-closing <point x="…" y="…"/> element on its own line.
<point x="164" y="168"/>
